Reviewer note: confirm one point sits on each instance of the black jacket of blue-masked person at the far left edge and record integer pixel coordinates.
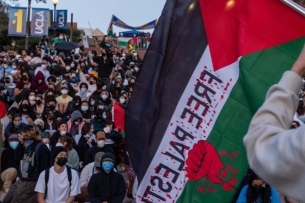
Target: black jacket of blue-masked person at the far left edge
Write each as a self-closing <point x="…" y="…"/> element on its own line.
<point x="7" y="159"/>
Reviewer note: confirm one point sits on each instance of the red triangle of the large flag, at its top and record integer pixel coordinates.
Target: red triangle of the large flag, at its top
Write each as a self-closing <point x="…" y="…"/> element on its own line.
<point x="238" y="27"/>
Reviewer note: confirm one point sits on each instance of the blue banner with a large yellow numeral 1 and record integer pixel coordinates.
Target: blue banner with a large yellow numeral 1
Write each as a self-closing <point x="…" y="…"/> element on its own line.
<point x="17" y="21"/>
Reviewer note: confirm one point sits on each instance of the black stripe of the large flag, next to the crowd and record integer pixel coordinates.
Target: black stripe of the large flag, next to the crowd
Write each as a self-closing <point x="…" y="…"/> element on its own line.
<point x="176" y="48"/>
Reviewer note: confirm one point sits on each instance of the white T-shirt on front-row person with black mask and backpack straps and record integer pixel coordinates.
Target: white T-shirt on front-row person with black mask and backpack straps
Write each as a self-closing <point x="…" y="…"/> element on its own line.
<point x="58" y="186"/>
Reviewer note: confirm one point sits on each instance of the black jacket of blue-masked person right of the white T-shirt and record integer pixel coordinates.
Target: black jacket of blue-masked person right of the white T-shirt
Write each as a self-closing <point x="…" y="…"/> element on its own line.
<point x="110" y="187"/>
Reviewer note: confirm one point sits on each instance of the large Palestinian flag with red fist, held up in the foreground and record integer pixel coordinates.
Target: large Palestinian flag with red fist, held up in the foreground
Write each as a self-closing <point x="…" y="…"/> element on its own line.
<point x="204" y="76"/>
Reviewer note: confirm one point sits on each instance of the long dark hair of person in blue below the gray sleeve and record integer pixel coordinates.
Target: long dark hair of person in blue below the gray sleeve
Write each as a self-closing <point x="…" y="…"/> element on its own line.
<point x="252" y="195"/>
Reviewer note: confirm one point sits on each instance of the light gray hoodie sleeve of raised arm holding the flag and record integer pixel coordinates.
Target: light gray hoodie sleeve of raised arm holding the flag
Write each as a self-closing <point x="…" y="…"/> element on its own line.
<point x="276" y="153"/>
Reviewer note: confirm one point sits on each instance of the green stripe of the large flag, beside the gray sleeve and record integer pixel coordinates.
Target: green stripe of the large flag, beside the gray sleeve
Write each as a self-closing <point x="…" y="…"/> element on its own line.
<point x="258" y="71"/>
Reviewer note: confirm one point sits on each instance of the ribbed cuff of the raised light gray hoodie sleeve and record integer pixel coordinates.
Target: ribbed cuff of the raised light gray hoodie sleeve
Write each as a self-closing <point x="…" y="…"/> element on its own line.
<point x="292" y="81"/>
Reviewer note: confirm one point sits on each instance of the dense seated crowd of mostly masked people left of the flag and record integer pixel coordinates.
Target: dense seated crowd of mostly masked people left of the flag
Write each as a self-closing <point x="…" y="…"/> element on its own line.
<point x="59" y="129"/>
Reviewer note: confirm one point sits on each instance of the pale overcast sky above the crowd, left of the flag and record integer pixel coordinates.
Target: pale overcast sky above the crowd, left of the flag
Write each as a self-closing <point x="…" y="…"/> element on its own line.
<point x="99" y="12"/>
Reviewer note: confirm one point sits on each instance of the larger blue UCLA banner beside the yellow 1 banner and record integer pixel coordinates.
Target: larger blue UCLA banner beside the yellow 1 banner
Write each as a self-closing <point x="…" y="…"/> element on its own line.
<point x="39" y="22"/>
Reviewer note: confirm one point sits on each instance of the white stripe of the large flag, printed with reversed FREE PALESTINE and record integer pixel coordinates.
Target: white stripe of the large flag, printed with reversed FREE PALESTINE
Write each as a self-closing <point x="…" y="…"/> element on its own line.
<point x="228" y="75"/>
